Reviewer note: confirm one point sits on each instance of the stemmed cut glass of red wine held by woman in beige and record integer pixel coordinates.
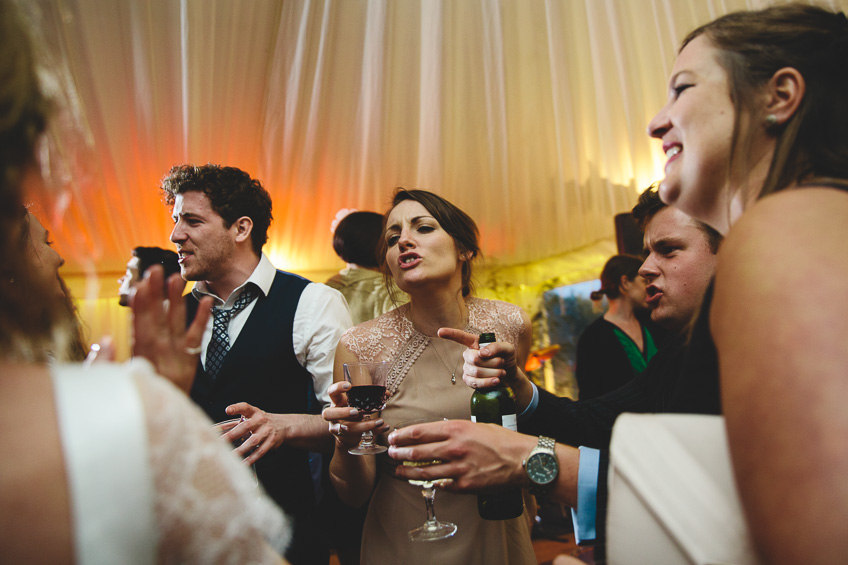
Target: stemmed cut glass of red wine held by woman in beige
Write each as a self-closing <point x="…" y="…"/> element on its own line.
<point x="367" y="394"/>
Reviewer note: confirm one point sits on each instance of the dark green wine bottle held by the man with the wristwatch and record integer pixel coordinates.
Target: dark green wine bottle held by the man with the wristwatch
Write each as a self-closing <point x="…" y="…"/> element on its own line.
<point x="496" y="405"/>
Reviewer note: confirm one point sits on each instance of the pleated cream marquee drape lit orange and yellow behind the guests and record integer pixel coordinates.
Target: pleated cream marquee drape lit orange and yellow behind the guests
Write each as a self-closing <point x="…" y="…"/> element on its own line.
<point x="528" y="114"/>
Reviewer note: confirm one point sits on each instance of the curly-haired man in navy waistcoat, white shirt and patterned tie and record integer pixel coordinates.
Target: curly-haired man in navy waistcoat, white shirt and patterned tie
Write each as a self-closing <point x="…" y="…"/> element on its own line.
<point x="267" y="353"/>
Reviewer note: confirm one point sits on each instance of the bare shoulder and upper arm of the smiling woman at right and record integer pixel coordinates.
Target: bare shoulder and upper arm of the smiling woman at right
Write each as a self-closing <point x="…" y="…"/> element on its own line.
<point x="778" y="320"/>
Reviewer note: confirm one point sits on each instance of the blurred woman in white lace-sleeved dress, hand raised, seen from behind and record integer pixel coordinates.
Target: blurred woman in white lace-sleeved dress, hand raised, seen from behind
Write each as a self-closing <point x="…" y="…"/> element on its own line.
<point x="111" y="464"/>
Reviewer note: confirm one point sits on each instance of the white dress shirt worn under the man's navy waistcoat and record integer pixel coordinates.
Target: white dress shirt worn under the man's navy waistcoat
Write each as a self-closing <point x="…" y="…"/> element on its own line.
<point x="321" y="317"/>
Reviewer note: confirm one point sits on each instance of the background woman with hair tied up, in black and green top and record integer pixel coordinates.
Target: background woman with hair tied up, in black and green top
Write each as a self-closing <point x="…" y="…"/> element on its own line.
<point x="617" y="346"/>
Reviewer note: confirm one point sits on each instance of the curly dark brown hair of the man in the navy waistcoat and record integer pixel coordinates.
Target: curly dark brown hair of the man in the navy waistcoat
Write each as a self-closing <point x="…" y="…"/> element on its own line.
<point x="231" y="191"/>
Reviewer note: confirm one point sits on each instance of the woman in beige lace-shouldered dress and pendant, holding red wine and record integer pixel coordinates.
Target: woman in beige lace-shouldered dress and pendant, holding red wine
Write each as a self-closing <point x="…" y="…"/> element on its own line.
<point x="427" y="250"/>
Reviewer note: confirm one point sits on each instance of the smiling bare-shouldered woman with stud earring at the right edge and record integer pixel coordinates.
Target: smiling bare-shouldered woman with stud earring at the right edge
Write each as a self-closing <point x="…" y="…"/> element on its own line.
<point x="756" y="134"/>
